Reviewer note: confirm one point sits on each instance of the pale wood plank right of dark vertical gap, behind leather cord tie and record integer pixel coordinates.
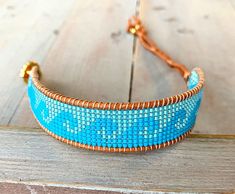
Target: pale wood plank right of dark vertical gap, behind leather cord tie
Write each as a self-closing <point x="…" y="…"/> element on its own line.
<point x="196" y="33"/>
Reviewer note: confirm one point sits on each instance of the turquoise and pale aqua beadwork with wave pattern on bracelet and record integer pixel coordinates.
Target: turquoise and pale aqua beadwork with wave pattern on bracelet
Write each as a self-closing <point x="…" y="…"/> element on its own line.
<point x="121" y="129"/>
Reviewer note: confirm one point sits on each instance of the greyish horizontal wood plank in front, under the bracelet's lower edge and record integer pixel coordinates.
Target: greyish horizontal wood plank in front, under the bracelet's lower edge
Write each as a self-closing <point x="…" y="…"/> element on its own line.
<point x="195" y="164"/>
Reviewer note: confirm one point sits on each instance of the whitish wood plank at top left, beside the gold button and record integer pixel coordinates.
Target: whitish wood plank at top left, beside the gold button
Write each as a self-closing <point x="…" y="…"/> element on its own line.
<point x="27" y="31"/>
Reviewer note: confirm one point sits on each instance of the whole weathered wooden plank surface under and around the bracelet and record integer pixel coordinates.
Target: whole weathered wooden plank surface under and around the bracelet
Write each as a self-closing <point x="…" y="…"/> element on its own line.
<point x="86" y="53"/>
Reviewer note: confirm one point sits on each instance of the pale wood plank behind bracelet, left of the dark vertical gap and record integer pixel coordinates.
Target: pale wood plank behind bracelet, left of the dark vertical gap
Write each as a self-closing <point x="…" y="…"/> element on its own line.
<point x="92" y="56"/>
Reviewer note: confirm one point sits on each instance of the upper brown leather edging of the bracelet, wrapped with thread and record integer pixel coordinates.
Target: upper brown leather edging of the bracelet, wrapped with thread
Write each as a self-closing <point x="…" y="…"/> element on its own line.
<point x="116" y="105"/>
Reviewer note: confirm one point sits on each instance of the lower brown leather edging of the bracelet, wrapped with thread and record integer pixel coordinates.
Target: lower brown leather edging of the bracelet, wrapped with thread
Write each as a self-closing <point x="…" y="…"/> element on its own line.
<point x="107" y="149"/>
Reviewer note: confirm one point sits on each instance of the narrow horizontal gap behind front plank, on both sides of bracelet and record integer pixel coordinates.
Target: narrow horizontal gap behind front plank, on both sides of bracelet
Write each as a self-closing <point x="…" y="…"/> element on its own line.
<point x="199" y="135"/>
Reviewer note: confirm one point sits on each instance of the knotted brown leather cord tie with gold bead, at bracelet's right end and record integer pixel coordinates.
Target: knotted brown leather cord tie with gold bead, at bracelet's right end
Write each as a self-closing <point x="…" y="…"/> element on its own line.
<point x="136" y="28"/>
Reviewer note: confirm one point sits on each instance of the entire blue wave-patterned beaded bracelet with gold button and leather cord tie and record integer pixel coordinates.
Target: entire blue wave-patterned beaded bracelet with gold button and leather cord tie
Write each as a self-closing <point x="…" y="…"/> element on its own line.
<point x="117" y="127"/>
